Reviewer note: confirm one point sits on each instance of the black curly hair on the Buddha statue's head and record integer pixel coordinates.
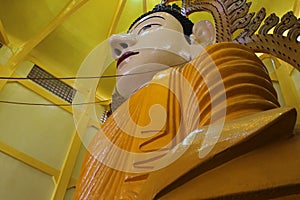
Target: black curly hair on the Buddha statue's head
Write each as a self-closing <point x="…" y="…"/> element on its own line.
<point x="175" y="11"/>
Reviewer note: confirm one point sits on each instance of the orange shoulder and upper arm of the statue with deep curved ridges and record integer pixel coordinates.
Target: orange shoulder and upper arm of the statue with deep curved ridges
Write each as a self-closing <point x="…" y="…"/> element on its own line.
<point x="229" y="79"/>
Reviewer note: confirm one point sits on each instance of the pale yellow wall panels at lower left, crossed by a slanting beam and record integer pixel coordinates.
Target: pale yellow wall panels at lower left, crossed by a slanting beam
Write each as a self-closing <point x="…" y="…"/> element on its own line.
<point x="36" y="135"/>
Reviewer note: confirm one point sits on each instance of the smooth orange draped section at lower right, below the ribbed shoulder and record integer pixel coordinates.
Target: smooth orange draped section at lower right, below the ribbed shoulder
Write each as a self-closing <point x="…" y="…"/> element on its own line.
<point x="255" y="157"/>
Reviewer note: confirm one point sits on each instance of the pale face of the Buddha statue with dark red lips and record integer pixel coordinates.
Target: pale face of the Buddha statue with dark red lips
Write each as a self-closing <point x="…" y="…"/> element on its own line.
<point x="154" y="43"/>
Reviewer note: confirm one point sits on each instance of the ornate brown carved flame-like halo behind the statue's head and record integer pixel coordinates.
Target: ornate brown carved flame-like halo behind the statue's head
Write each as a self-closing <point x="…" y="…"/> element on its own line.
<point x="255" y="29"/>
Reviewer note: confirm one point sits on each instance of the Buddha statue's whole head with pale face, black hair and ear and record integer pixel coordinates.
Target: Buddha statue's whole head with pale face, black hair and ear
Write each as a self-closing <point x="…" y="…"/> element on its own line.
<point x="157" y="40"/>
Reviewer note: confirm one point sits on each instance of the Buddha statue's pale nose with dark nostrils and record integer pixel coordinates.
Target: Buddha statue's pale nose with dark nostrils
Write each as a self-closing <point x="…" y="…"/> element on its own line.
<point x="119" y="43"/>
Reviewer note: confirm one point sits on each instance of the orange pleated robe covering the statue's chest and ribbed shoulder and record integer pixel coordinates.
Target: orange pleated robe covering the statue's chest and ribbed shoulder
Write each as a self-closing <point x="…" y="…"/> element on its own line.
<point x="227" y="80"/>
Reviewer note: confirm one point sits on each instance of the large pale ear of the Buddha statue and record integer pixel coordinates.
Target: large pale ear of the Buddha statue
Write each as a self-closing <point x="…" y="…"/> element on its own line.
<point x="203" y="33"/>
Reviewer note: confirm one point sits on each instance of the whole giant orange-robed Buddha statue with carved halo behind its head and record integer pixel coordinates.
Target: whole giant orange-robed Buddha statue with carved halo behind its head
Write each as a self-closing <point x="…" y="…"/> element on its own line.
<point x="194" y="113"/>
